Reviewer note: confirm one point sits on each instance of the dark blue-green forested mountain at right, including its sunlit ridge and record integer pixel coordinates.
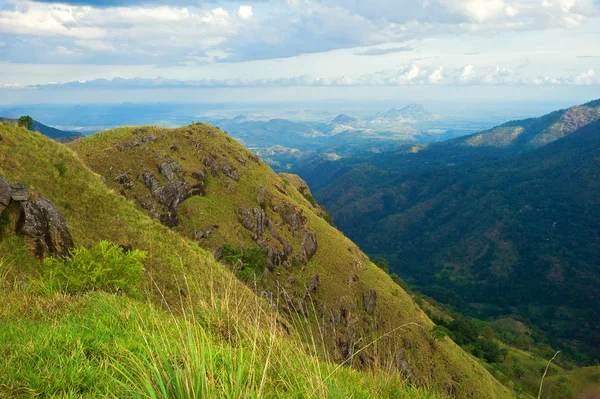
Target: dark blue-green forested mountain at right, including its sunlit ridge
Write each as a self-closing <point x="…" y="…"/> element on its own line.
<point x="495" y="224"/>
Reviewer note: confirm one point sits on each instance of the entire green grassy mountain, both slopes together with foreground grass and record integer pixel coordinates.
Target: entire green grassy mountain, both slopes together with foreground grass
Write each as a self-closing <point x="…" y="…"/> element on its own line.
<point x="287" y="285"/>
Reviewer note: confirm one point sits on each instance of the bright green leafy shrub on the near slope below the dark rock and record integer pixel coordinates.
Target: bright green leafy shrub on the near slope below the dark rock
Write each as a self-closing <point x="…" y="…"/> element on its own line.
<point x="106" y="267"/>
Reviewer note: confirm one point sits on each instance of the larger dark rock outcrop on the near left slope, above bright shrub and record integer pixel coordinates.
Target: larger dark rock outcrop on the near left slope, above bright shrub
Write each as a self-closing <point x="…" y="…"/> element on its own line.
<point x="40" y="221"/>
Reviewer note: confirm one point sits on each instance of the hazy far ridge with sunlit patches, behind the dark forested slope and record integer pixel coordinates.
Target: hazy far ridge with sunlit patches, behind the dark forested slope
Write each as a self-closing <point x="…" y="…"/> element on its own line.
<point x="509" y="139"/>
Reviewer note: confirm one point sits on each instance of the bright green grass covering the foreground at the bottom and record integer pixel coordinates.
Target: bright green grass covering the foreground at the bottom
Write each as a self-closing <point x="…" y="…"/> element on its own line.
<point x="101" y="345"/>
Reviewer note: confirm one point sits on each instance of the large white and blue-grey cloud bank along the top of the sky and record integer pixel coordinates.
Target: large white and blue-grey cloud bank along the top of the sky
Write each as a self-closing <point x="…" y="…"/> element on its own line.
<point x="172" y="31"/>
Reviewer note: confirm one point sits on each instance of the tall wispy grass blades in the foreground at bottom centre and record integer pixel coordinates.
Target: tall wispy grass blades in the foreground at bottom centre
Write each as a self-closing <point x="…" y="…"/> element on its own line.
<point x="226" y="354"/>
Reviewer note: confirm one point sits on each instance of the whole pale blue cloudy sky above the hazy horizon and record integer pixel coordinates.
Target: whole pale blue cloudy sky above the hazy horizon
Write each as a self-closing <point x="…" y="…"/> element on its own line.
<point x="274" y="50"/>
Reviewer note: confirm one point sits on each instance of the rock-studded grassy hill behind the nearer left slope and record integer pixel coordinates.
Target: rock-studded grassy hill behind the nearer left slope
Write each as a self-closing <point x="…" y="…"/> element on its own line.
<point x="280" y="243"/>
